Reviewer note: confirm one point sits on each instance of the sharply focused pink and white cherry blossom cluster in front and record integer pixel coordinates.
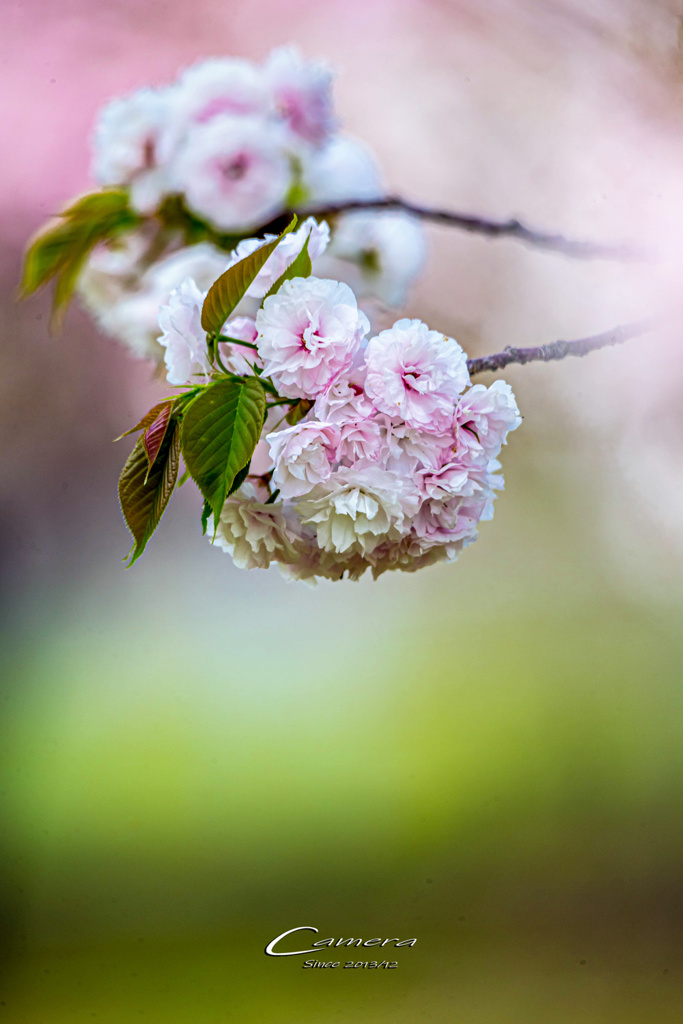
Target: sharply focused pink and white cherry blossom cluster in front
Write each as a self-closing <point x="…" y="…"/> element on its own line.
<point x="395" y="461"/>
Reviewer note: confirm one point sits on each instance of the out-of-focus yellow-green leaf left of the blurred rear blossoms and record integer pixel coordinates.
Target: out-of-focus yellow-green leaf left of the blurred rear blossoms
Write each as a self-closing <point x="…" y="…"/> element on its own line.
<point x="61" y="250"/>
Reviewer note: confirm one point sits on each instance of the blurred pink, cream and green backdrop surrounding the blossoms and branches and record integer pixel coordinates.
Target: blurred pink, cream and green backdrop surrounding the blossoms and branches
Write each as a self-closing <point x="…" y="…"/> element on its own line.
<point x="486" y="757"/>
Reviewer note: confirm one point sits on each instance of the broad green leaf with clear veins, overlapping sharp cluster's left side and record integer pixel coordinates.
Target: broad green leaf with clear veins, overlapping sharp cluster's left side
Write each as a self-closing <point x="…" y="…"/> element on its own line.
<point x="221" y="431"/>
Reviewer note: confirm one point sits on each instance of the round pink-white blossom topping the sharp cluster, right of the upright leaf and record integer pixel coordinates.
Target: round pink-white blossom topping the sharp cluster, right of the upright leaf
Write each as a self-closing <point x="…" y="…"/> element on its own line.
<point x="309" y="334"/>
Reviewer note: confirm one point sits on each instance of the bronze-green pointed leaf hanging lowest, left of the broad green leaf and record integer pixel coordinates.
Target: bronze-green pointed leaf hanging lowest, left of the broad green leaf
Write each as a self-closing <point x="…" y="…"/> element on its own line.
<point x="145" y="492"/>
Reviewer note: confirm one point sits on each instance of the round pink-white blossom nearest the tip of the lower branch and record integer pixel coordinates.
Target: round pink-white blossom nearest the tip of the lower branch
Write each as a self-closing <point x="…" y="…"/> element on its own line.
<point x="416" y="375"/>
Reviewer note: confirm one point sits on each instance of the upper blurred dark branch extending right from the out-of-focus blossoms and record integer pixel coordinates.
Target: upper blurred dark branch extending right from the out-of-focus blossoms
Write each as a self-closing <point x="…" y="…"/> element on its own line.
<point x="481" y="226"/>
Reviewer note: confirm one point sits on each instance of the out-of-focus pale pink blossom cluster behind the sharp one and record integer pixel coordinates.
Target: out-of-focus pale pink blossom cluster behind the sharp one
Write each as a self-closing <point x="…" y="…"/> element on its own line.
<point x="238" y="144"/>
